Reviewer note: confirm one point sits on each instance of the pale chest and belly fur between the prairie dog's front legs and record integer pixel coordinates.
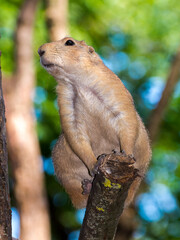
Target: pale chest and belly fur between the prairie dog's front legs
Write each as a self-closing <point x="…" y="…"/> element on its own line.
<point x="95" y="115"/>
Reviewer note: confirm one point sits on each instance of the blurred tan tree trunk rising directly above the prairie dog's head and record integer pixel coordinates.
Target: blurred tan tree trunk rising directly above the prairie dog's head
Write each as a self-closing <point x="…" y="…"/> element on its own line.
<point x="57" y="20"/>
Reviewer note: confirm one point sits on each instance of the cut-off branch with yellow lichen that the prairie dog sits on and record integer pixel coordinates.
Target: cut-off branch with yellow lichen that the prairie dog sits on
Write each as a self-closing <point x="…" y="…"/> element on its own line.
<point x="108" y="194"/>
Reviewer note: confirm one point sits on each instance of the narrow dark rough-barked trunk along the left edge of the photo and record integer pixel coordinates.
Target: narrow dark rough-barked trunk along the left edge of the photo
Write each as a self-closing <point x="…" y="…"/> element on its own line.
<point x="5" y="209"/>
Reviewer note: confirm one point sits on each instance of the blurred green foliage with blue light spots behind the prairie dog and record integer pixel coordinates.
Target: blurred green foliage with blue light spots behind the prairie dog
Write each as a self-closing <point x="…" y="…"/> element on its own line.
<point x="137" y="39"/>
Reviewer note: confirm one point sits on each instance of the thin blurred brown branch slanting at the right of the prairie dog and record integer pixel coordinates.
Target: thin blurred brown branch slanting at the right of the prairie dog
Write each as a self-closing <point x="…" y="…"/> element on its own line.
<point x="158" y="113"/>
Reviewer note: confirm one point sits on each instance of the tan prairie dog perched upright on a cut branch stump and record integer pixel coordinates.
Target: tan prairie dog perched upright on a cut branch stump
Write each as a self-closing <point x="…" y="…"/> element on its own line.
<point x="97" y="115"/>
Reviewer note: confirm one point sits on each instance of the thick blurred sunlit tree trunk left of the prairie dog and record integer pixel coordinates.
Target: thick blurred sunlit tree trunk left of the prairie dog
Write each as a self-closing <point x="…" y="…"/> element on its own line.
<point x="23" y="146"/>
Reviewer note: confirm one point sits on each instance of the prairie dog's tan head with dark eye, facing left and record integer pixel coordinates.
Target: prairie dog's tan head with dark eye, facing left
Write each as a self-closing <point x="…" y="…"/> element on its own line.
<point x="68" y="57"/>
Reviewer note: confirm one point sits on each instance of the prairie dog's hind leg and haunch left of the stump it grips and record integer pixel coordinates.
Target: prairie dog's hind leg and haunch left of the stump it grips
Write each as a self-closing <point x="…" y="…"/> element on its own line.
<point x="71" y="172"/>
